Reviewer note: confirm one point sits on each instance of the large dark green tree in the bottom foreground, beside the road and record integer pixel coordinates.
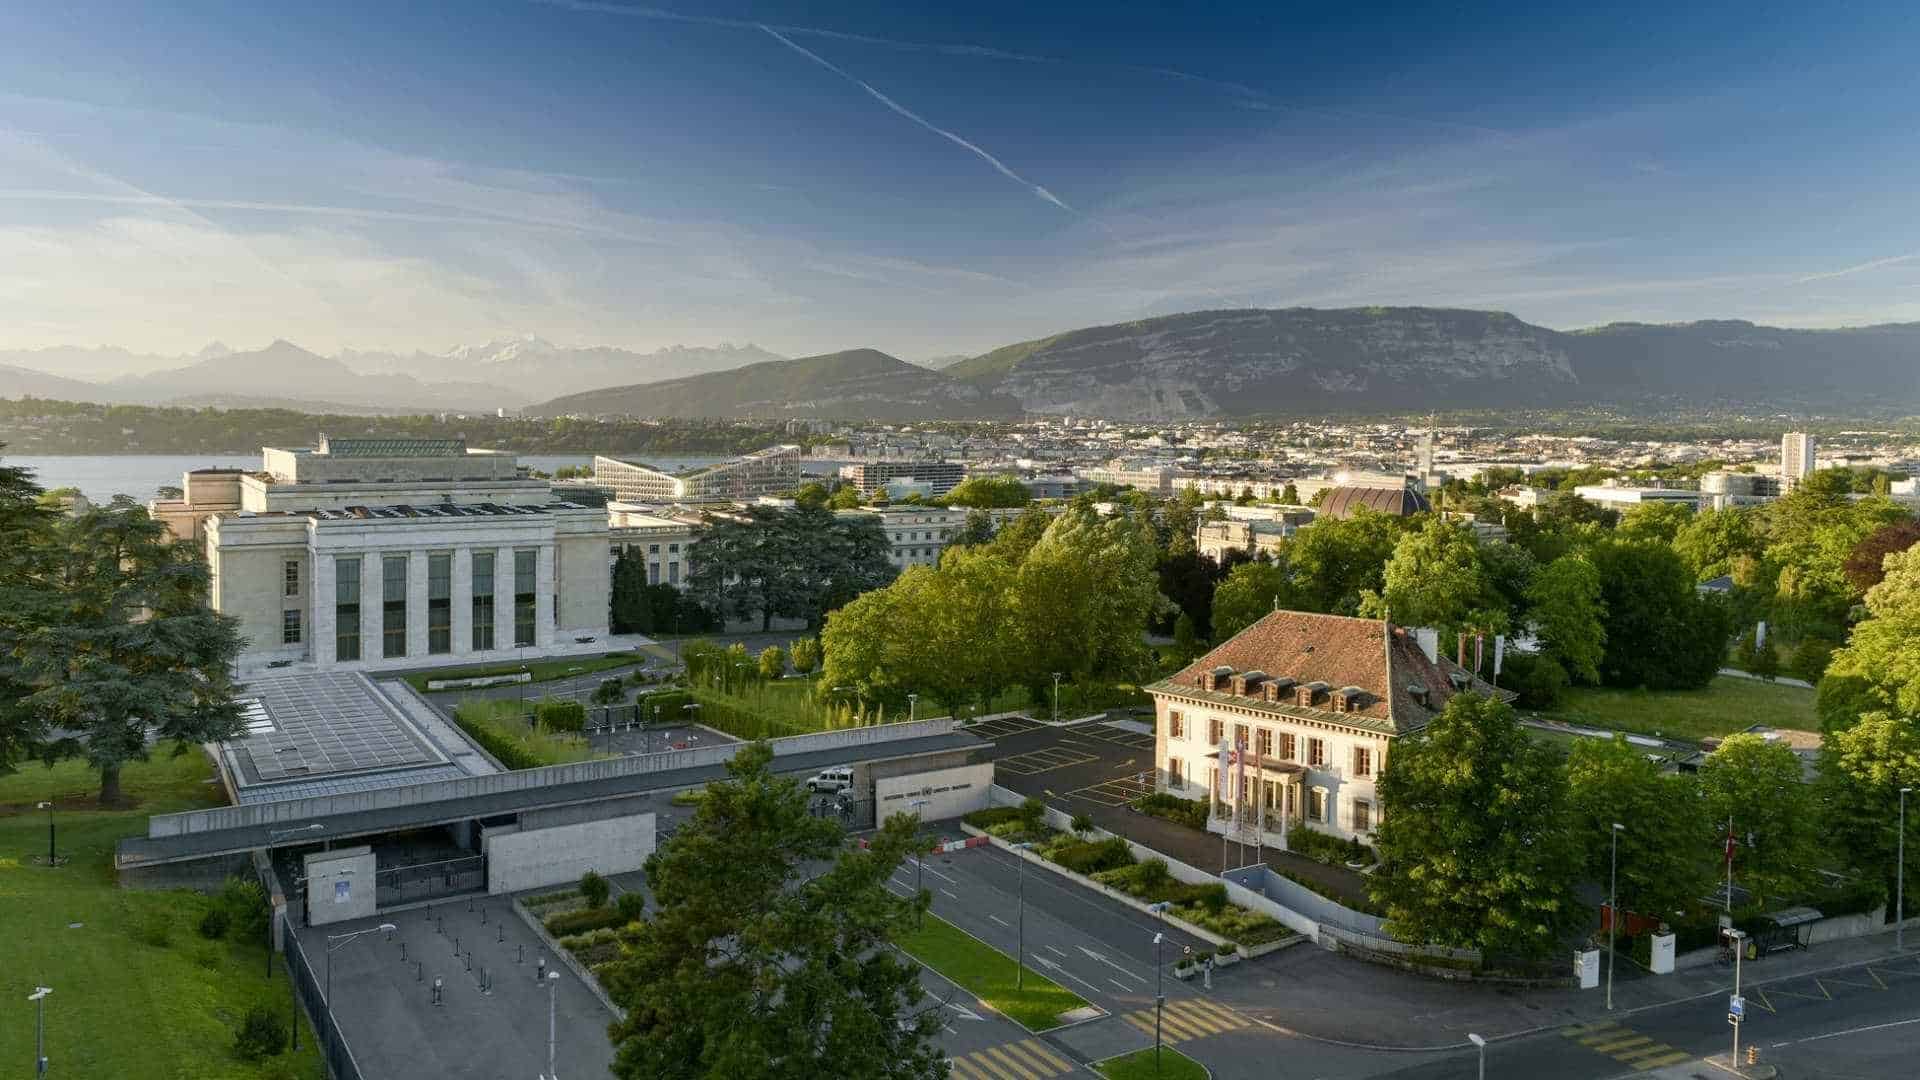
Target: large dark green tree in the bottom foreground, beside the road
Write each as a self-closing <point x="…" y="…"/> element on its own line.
<point x="757" y="964"/>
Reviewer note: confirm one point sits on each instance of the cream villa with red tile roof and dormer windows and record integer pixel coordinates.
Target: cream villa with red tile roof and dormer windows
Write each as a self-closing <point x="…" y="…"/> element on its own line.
<point x="1305" y="710"/>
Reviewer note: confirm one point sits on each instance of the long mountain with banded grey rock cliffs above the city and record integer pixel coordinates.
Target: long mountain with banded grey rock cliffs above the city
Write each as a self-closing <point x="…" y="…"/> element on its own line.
<point x="1282" y="362"/>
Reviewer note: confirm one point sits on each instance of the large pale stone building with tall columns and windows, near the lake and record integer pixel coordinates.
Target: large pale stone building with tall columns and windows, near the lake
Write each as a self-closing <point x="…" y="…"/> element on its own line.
<point x="368" y="554"/>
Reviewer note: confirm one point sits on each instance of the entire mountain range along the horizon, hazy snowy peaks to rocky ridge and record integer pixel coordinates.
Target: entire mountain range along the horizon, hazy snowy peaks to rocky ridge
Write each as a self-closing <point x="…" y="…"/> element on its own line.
<point x="1201" y="364"/>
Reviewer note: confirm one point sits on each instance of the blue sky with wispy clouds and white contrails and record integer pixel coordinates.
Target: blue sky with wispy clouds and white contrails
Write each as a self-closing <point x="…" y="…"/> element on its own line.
<point x="938" y="182"/>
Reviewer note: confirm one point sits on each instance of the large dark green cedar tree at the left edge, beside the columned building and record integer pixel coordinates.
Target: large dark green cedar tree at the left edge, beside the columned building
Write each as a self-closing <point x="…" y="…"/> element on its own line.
<point x="105" y="637"/>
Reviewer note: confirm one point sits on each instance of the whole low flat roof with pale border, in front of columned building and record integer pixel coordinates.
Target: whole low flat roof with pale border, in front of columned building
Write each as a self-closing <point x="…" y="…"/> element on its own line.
<point x="325" y="733"/>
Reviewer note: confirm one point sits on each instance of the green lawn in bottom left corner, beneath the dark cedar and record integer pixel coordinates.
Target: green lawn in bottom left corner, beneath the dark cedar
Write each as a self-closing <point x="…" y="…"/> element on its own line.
<point x="137" y="991"/>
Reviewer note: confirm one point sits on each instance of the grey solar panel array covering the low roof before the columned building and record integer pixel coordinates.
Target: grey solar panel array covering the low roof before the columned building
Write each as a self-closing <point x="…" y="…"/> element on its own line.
<point x="325" y="725"/>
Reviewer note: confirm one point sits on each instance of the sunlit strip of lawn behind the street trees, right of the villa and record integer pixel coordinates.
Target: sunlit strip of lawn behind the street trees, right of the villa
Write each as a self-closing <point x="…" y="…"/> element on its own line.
<point x="1725" y="706"/>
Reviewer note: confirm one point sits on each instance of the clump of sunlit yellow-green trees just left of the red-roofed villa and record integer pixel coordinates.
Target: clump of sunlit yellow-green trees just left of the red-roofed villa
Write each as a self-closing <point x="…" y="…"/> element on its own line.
<point x="1067" y="595"/>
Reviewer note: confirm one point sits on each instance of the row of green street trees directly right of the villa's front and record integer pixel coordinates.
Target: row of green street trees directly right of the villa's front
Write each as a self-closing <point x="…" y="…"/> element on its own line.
<point x="1489" y="835"/>
